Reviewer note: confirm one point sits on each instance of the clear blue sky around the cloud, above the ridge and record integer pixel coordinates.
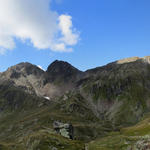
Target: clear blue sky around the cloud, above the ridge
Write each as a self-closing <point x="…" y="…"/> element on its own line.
<point x="109" y="30"/>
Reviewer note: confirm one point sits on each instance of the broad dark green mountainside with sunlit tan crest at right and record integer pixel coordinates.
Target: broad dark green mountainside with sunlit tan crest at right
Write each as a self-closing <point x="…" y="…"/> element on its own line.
<point x="119" y="91"/>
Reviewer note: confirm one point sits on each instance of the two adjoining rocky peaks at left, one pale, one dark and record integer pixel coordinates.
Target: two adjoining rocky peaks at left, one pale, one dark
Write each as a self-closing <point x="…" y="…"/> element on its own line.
<point x="59" y="77"/>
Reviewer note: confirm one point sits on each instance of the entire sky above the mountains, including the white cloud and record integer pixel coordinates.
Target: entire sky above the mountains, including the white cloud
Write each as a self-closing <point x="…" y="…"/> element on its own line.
<point x="86" y="34"/>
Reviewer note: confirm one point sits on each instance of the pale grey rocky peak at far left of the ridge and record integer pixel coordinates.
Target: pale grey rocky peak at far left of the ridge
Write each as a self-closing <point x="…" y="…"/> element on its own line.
<point x="26" y="76"/>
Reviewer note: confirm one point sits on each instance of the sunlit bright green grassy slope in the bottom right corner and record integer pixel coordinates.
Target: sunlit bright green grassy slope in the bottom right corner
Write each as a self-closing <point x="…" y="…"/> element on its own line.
<point x="136" y="137"/>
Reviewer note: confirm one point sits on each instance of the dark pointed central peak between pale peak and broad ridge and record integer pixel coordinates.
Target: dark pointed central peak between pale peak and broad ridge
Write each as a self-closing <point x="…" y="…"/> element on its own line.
<point x="62" y="76"/>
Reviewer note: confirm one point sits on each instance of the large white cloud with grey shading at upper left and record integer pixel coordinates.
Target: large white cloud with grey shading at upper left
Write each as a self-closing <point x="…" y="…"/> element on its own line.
<point x="34" y="21"/>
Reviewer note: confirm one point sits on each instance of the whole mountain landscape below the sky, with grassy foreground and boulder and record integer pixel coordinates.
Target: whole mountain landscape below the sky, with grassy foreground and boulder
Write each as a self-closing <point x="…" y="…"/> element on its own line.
<point x="63" y="108"/>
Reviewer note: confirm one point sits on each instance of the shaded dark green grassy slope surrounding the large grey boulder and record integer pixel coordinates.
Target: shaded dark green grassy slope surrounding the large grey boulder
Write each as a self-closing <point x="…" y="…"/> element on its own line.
<point x="26" y="121"/>
